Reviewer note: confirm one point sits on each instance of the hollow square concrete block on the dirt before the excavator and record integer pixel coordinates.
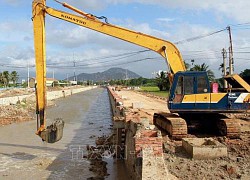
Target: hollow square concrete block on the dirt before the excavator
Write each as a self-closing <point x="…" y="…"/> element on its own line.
<point x="204" y="148"/>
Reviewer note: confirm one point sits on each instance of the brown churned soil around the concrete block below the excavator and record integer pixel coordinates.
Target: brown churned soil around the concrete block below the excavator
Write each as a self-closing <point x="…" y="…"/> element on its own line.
<point x="235" y="166"/>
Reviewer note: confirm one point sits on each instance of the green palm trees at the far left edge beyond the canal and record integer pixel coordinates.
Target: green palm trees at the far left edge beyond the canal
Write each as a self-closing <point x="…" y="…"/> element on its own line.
<point x="6" y="78"/>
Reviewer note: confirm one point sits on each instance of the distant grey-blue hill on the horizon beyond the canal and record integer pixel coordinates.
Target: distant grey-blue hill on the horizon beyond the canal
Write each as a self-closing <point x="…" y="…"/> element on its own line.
<point x="112" y="73"/>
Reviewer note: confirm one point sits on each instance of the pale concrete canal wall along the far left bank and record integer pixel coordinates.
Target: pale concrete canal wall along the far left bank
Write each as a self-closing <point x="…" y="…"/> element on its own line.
<point x="51" y="95"/>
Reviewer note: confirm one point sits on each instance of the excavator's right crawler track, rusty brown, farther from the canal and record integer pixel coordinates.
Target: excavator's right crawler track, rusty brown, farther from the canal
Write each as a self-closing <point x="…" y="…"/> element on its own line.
<point x="229" y="127"/>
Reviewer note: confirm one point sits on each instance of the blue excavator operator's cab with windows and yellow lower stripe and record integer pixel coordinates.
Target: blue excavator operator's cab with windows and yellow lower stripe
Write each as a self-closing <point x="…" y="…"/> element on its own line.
<point x="189" y="91"/>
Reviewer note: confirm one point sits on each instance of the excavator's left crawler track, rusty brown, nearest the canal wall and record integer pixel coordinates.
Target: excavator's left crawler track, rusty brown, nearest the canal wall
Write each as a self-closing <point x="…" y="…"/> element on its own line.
<point x="173" y="124"/>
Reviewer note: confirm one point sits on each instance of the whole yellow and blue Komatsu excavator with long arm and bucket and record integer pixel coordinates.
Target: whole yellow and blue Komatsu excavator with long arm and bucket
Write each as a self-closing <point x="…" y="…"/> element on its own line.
<point x="190" y="91"/>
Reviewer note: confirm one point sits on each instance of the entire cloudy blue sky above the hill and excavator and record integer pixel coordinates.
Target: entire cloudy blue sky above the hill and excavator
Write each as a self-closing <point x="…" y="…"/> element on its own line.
<point x="170" y="20"/>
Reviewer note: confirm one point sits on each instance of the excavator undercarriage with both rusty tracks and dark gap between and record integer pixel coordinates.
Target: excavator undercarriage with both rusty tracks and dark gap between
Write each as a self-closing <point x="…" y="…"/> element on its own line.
<point x="179" y="126"/>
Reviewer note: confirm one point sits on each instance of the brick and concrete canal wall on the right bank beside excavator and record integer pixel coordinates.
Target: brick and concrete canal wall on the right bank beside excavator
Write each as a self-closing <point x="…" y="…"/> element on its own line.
<point x="138" y="142"/>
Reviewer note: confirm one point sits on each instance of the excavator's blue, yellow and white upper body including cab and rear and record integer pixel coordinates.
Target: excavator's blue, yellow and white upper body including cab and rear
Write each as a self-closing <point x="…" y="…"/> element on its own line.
<point x="191" y="92"/>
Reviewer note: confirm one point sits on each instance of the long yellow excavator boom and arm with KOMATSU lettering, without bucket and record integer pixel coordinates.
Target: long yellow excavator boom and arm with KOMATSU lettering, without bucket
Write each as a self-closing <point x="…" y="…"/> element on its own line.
<point x="165" y="48"/>
